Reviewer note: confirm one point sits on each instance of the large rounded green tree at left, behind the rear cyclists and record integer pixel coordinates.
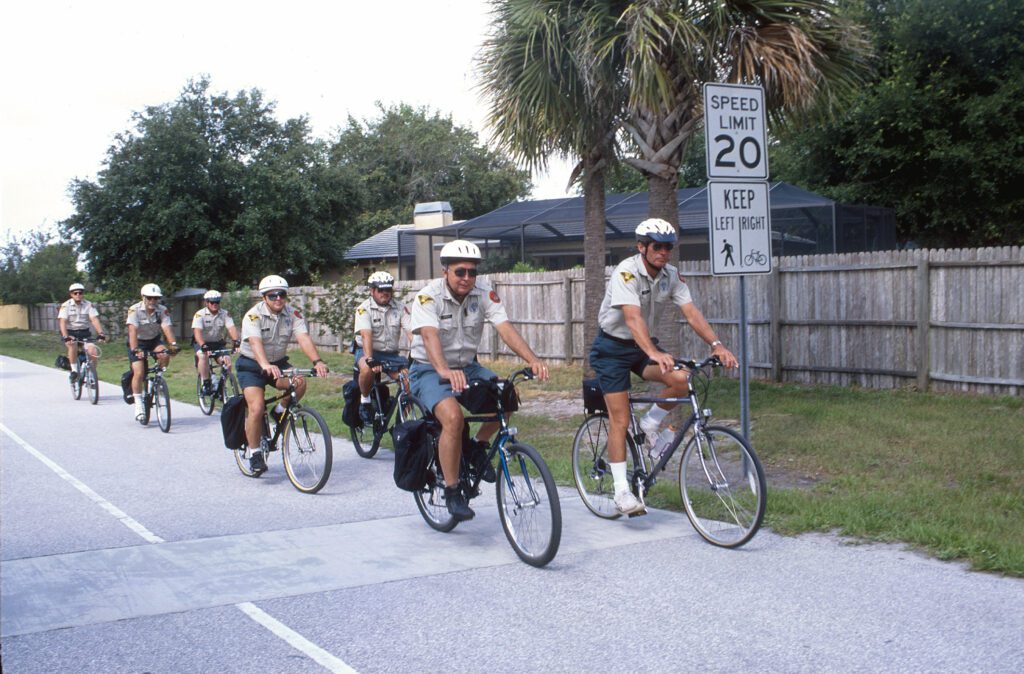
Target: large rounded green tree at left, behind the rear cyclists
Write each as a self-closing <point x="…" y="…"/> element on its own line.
<point x="212" y="189"/>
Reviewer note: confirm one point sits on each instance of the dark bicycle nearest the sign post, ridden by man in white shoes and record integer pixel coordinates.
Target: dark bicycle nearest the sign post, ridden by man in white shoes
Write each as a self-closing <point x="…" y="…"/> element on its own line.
<point x="721" y="480"/>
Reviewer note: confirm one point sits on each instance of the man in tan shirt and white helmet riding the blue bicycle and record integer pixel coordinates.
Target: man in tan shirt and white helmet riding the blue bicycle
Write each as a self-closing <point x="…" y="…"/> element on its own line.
<point x="448" y="319"/>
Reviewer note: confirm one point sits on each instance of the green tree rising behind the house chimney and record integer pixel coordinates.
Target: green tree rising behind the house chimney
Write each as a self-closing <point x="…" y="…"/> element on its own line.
<point x="410" y="155"/>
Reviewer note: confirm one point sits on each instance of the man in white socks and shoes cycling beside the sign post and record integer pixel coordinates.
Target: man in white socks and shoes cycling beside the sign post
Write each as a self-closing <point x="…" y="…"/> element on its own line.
<point x="638" y="293"/>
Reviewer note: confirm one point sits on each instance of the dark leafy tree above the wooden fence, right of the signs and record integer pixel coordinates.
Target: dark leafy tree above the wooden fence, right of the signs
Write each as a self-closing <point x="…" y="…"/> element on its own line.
<point x="937" y="137"/>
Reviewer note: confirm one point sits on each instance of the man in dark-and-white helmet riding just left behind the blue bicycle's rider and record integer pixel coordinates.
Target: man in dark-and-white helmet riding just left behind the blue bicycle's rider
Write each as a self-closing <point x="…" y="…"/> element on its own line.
<point x="379" y="323"/>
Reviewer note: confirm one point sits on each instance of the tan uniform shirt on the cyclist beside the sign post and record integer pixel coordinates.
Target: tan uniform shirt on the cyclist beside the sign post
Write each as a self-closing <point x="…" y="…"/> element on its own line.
<point x="630" y="284"/>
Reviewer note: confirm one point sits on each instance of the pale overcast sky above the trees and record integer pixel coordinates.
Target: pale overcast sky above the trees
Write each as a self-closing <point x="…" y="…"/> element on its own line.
<point x="73" y="72"/>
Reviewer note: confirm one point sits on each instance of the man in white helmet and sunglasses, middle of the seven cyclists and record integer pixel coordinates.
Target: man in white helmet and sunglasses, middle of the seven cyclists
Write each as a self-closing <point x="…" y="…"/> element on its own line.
<point x="267" y="330"/>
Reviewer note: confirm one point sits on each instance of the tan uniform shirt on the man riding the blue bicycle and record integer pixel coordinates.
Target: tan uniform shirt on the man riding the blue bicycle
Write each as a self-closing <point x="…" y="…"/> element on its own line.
<point x="460" y="326"/>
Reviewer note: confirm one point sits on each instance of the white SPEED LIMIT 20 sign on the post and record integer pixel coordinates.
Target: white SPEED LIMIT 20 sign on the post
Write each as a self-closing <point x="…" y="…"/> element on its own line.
<point x="735" y="124"/>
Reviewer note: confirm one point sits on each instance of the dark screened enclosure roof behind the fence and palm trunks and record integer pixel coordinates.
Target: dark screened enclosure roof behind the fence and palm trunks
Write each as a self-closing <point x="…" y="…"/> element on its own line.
<point x="564" y="219"/>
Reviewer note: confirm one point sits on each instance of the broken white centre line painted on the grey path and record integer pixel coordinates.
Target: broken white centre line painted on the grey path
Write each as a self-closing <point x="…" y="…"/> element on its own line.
<point x="279" y="629"/>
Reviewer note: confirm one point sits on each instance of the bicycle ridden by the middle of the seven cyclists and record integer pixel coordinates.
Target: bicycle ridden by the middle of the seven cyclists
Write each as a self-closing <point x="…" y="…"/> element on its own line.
<point x="306" y="440"/>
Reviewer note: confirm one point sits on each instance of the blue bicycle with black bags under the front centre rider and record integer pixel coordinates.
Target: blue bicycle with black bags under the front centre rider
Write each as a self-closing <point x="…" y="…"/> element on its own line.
<point x="528" y="497"/>
